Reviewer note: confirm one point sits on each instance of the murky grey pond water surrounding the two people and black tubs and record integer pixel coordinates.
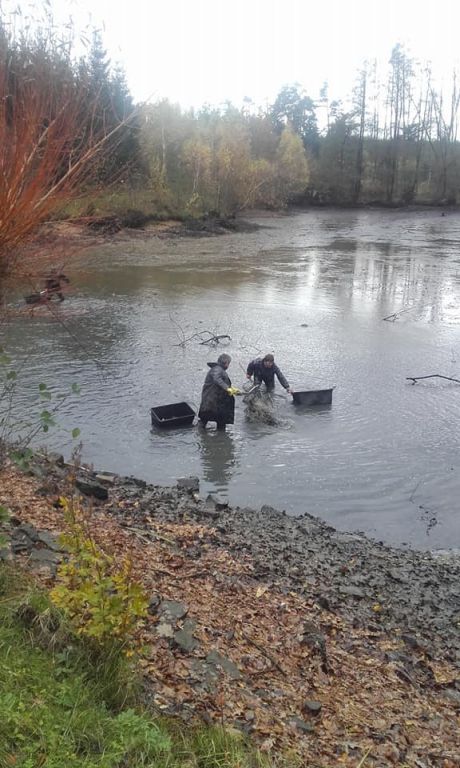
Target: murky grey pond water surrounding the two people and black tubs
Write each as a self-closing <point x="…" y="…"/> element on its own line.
<point x="314" y="289"/>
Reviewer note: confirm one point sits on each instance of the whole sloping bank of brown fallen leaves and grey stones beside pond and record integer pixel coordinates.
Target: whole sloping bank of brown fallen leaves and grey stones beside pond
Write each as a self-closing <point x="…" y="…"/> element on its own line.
<point x="325" y="642"/>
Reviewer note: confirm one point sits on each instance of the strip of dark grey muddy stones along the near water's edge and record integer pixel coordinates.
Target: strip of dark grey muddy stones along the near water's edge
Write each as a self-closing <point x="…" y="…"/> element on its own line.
<point x="378" y="586"/>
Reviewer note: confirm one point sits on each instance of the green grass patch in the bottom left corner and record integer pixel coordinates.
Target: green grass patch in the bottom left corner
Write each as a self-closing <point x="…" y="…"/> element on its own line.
<point x="58" y="709"/>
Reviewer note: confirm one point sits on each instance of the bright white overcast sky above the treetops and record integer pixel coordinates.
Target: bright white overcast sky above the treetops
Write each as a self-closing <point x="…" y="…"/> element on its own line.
<point x="210" y="51"/>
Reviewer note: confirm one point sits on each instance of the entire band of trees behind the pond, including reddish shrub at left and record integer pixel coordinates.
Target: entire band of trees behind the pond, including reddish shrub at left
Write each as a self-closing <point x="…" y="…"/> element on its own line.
<point x="69" y="123"/>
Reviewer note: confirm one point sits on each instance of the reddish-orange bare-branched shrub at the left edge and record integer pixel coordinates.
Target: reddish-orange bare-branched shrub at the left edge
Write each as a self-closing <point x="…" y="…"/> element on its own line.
<point x="45" y="155"/>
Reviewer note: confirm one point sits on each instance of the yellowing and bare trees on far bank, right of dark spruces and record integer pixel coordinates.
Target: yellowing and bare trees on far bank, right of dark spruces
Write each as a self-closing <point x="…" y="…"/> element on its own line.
<point x="395" y="143"/>
